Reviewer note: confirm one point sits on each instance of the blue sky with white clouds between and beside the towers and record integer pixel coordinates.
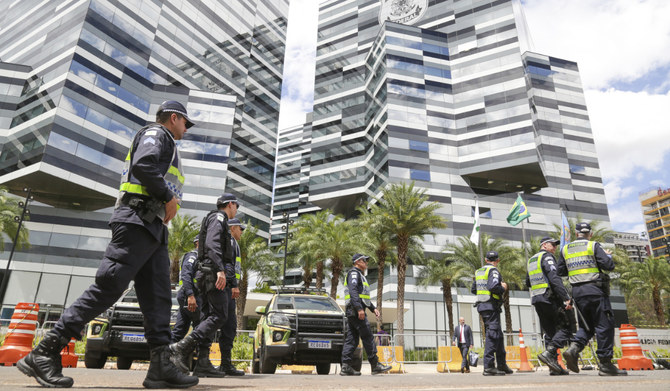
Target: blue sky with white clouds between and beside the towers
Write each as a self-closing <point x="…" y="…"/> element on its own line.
<point x="623" y="51"/>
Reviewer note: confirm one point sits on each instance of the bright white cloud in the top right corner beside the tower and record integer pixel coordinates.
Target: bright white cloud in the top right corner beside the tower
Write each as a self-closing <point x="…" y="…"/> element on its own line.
<point x="612" y="40"/>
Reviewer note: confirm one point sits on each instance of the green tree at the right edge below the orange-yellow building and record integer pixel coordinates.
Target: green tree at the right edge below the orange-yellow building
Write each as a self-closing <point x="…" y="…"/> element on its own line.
<point x="649" y="277"/>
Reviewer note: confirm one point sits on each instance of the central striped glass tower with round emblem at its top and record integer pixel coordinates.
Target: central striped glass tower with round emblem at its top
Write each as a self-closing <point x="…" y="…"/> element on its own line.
<point x="445" y="93"/>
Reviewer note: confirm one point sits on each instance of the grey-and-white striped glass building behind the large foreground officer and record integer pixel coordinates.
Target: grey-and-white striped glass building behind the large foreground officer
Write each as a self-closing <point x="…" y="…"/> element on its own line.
<point x="78" y="79"/>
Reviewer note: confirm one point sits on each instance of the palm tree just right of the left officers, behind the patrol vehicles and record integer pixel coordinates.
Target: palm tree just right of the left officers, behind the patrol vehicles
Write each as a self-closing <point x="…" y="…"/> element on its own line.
<point x="253" y="252"/>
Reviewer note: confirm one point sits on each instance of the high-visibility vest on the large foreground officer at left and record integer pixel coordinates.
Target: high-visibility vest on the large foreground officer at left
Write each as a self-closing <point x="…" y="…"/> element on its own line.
<point x="174" y="178"/>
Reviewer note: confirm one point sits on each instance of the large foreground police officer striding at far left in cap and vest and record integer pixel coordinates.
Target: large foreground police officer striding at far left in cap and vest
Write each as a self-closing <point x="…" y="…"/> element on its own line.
<point x="149" y="196"/>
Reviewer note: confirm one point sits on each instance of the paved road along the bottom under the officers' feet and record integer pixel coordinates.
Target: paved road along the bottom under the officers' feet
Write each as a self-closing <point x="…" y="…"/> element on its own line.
<point x="418" y="377"/>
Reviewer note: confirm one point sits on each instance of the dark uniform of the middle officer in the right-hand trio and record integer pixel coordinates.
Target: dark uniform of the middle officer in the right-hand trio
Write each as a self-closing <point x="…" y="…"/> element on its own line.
<point x="549" y="305"/>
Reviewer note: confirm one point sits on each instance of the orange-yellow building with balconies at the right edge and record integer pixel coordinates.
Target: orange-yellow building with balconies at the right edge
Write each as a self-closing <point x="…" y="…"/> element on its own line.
<point x="656" y="212"/>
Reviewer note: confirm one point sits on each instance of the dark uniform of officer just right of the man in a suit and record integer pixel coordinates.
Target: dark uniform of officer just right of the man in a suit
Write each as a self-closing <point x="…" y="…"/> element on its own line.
<point x="494" y="348"/>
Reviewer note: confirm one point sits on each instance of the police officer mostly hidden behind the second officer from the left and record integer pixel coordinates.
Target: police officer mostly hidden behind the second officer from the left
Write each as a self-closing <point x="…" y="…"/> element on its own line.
<point x="229" y="328"/>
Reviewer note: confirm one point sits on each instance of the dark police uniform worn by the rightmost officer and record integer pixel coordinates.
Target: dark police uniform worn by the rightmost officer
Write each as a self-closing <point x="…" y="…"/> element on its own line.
<point x="593" y="302"/>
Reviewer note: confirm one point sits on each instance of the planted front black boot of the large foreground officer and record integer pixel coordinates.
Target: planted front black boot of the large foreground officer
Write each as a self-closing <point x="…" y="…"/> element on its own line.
<point x="163" y="373"/>
